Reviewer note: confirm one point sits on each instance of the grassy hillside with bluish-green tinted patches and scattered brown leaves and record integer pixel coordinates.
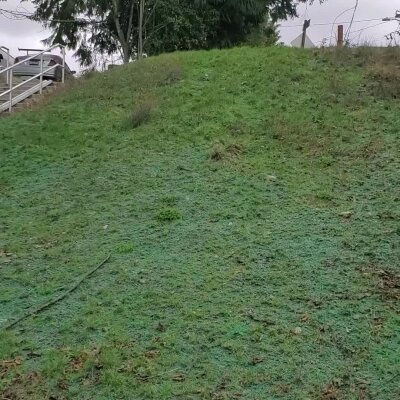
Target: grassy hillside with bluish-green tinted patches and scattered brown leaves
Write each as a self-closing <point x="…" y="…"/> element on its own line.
<point x="249" y="200"/>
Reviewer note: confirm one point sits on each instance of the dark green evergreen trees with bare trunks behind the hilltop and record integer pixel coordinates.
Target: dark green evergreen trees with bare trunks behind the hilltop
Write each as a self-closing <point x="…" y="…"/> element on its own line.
<point x="130" y="26"/>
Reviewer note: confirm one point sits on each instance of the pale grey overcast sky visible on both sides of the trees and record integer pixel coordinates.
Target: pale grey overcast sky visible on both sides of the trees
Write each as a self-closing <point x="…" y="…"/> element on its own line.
<point x="14" y="34"/>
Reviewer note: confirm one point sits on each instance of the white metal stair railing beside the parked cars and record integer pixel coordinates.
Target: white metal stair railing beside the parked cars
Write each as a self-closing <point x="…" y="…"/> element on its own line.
<point x="9" y="71"/>
